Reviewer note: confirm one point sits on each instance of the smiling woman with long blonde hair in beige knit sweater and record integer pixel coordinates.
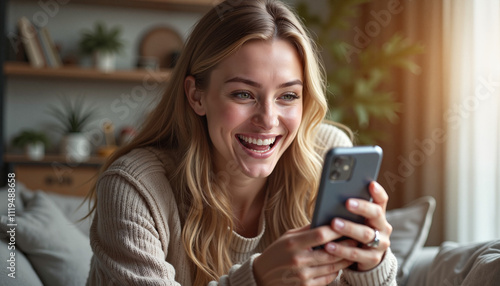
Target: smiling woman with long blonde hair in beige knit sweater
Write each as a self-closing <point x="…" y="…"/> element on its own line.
<point x="219" y="185"/>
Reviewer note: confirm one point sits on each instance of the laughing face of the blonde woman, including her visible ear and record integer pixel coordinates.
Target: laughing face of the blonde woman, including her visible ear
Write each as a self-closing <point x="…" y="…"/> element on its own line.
<point x="253" y="106"/>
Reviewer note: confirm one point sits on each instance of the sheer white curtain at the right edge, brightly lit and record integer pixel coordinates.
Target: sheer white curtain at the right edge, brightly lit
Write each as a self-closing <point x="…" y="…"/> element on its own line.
<point x="472" y="83"/>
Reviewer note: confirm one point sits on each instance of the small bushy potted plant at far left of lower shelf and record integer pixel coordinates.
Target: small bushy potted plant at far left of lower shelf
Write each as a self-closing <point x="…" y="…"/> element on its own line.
<point x="33" y="142"/>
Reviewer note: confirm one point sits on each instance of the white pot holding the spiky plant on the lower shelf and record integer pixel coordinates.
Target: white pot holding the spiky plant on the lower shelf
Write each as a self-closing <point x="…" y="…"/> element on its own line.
<point x="75" y="147"/>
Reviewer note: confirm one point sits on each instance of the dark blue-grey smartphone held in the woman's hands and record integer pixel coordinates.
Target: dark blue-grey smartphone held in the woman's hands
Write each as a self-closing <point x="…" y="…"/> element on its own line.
<point x="347" y="173"/>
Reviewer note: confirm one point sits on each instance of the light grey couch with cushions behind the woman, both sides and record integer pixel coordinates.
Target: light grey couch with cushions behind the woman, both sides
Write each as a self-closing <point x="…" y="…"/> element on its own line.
<point x="52" y="245"/>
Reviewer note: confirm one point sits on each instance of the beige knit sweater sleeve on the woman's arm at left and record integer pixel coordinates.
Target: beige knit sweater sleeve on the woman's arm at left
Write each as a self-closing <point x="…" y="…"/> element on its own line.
<point x="124" y="239"/>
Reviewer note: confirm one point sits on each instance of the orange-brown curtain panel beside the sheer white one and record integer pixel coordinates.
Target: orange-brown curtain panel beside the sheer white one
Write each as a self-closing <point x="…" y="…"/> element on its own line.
<point x="414" y="157"/>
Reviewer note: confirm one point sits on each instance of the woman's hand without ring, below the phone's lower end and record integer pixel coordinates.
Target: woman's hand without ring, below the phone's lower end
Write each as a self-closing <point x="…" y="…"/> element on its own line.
<point x="291" y="259"/>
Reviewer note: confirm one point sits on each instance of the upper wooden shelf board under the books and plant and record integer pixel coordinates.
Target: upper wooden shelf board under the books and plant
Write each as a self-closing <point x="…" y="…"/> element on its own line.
<point x="73" y="72"/>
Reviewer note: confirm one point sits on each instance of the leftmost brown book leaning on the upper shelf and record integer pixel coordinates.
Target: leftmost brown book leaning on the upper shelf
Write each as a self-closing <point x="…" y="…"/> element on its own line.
<point x="32" y="46"/>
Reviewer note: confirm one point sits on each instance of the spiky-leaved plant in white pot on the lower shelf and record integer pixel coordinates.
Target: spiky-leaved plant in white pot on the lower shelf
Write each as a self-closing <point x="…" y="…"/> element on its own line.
<point x="73" y="117"/>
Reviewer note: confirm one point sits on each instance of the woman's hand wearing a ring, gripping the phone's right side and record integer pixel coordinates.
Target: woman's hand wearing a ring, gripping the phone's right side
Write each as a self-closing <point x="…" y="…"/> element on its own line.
<point x="367" y="258"/>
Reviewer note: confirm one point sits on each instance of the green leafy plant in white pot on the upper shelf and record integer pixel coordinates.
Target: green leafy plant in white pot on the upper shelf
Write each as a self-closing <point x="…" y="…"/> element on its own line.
<point x="102" y="44"/>
